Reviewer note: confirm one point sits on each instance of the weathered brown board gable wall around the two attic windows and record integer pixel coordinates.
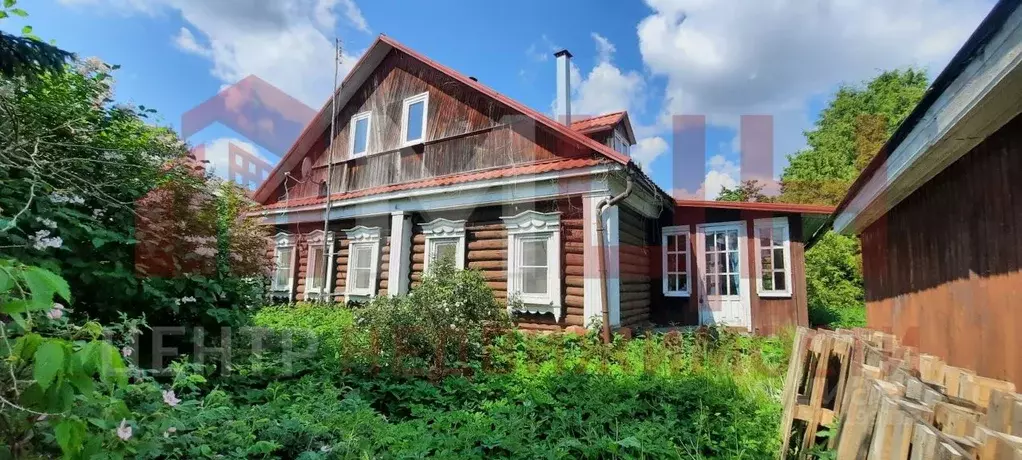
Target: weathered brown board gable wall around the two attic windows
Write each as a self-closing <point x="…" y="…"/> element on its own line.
<point x="466" y="131"/>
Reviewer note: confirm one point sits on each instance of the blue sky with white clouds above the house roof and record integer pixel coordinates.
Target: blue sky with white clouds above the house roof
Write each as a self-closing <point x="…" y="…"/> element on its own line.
<point x="658" y="59"/>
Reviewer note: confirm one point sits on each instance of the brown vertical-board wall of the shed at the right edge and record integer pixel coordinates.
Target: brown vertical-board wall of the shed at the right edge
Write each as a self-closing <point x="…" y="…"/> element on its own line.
<point x="942" y="269"/>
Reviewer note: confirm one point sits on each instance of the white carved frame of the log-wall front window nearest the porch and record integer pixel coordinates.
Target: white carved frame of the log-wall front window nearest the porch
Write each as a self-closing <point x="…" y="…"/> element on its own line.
<point x="532" y="225"/>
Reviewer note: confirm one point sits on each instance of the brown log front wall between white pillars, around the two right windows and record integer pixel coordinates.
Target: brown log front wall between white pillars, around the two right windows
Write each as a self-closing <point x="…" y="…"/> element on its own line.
<point x="486" y="251"/>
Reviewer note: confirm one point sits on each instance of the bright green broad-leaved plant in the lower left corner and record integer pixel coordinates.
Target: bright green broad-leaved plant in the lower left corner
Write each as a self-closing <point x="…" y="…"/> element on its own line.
<point x="51" y="366"/>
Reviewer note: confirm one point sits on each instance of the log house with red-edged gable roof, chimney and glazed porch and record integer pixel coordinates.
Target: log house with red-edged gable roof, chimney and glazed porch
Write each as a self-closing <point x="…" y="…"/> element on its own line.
<point x="428" y="162"/>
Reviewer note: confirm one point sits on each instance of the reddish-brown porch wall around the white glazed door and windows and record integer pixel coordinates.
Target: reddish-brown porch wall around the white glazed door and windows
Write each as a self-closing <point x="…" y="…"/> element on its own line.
<point x="770" y="315"/>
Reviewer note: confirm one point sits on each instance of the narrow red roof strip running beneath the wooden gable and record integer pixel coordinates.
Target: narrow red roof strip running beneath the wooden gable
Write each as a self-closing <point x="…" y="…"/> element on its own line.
<point x="536" y="168"/>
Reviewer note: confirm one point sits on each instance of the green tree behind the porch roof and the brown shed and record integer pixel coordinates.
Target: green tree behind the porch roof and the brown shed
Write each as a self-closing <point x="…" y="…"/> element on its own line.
<point x="848" y="135"/>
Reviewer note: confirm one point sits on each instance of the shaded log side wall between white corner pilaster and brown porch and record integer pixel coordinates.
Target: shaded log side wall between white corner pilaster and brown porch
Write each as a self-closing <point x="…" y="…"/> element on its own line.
<point x="636" y="246"/>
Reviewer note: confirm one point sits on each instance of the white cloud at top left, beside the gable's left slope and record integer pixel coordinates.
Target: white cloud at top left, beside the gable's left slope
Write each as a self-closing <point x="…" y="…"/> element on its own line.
<point x="285" y="43"/>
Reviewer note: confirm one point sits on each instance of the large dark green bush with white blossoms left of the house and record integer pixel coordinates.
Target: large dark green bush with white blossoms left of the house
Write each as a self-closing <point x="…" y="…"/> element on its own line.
<point x="88" y="187"/>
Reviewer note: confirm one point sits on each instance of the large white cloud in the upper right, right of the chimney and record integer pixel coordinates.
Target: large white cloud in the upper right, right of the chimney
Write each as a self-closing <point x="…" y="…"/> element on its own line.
<point x="732" y="58"/>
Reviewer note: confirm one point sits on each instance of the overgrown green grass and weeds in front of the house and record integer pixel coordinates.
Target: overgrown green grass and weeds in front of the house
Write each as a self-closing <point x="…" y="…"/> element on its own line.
<point x="703" y="395"/>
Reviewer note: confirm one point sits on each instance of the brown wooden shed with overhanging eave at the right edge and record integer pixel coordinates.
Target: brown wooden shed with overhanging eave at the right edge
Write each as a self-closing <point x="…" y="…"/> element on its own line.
<point x="940" y="211"/>
